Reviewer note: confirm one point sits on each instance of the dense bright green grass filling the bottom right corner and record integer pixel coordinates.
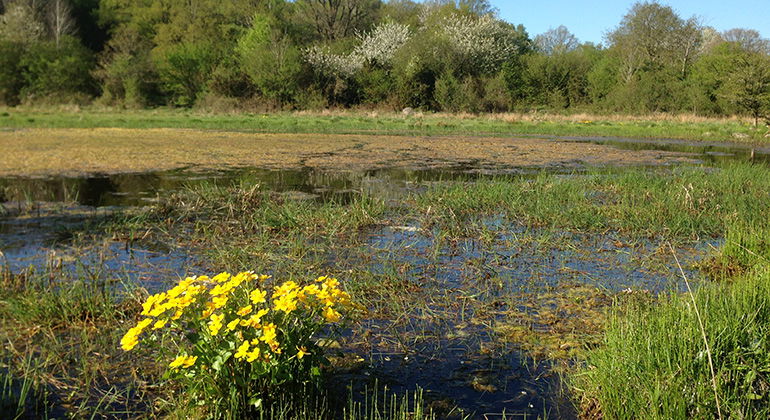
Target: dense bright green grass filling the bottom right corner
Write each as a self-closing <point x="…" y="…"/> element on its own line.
<point x="687" y="356"/>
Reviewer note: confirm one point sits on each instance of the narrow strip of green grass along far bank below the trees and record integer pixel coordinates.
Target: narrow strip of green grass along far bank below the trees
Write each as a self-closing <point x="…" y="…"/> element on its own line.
<point x="656" y="126"/>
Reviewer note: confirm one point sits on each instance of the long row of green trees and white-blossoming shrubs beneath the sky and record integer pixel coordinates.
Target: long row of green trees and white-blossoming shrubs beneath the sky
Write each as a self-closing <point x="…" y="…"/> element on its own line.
<point x="444" y="55"/>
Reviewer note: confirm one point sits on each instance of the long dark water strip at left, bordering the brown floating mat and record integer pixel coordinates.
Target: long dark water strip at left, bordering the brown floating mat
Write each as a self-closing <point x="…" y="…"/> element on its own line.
<point x="144" y="188"/>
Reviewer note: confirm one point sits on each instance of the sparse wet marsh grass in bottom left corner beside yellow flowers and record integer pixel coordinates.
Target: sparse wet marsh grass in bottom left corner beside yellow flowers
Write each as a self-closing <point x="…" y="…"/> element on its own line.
<point x="70" y="326"/>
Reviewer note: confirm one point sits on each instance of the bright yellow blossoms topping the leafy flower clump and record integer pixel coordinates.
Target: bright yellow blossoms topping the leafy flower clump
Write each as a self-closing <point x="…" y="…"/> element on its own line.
<point x="232" y="308"/>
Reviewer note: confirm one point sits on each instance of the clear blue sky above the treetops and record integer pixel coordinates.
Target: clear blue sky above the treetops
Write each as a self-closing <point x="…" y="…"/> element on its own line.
<point x="590" y="20"/>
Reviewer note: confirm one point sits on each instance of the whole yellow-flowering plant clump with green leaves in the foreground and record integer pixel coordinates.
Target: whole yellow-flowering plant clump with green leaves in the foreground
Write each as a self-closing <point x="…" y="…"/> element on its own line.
<point x="238" y="347"/>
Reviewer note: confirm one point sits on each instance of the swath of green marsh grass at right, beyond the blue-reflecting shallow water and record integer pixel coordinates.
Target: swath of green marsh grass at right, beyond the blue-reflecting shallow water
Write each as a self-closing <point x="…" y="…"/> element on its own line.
<point x="684" y="202"/>
